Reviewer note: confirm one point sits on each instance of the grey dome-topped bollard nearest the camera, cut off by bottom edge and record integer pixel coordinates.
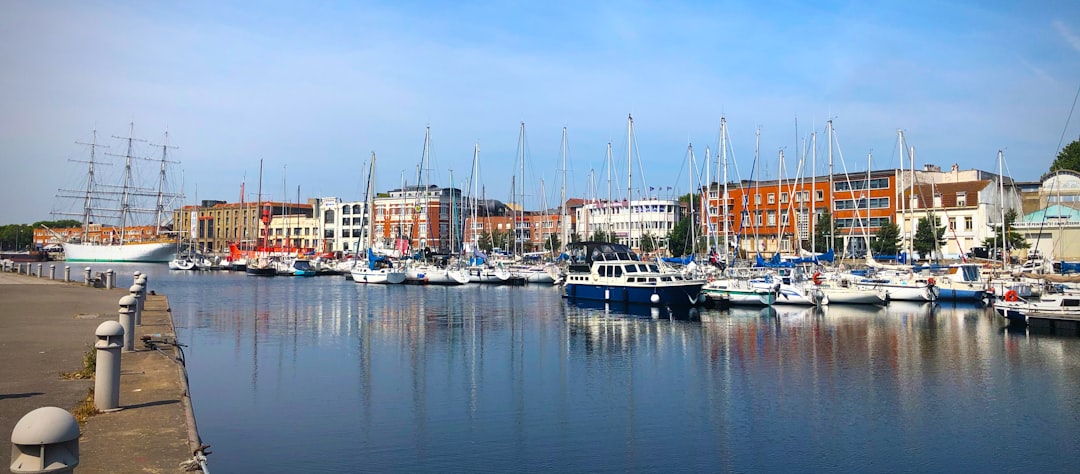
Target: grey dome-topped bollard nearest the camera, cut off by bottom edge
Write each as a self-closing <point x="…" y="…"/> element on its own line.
<point x="46" y="441"/>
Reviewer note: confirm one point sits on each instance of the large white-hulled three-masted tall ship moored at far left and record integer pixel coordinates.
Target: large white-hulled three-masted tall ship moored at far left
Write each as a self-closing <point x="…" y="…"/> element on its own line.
<point x="120" y="243"/>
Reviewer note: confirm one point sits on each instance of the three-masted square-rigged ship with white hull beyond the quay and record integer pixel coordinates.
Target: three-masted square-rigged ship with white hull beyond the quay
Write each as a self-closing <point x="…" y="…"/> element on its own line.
<point x="110" y="212"/>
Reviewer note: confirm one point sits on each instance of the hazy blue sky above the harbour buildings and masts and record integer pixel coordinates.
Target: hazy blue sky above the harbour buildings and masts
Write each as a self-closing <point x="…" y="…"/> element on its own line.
<point x="313" y="89"/>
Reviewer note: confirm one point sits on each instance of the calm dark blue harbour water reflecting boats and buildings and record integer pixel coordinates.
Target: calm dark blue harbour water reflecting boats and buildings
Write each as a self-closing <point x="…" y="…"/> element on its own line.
<point x="323" y="375"/>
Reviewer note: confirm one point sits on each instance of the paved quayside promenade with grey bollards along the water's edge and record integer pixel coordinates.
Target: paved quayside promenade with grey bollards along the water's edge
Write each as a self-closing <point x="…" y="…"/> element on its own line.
<point x="46" y="328"/>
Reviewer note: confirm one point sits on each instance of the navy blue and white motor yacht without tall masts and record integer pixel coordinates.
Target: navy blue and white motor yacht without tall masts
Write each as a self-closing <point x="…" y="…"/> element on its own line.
<point x="614" y="273"/>
